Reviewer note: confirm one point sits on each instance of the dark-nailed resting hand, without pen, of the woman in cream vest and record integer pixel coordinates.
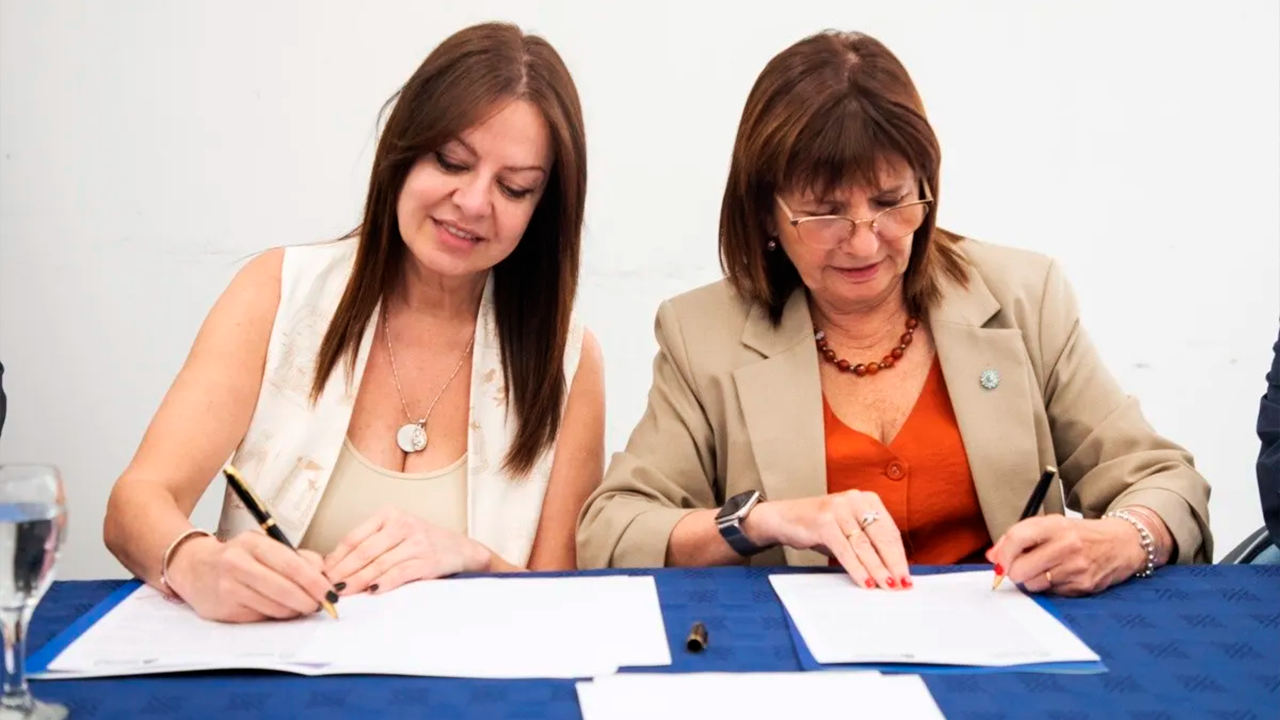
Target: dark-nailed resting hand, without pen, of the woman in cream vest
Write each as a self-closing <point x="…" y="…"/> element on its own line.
<point x="392" y="549"/>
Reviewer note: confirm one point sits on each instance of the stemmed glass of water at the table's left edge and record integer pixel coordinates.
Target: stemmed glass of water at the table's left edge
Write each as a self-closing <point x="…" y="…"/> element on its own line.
<point x="33" y="530"/>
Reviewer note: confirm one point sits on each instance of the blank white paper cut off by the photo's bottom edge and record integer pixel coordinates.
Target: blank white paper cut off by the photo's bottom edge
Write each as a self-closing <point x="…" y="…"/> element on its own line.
<point x="756" y="696"/>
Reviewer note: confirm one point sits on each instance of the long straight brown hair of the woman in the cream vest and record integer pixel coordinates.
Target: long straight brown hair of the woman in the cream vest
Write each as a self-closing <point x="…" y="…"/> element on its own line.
<point x="461" y="83"/>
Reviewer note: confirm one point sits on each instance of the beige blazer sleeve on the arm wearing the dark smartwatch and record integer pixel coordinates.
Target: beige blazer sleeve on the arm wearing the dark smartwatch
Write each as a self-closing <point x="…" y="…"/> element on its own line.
<point x="665" y="473"/>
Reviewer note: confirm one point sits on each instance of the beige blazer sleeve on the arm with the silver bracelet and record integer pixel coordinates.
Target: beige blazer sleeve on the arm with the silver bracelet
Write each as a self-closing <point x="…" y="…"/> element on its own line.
<point x="1109" y="454"/>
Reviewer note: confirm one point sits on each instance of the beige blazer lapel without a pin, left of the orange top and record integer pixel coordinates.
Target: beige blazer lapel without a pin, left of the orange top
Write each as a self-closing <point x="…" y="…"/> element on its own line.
<point x="781" y="399"/>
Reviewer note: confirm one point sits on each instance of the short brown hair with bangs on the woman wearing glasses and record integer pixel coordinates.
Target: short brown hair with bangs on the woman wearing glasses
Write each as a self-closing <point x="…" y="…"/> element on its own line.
<point x="825" y="115"/>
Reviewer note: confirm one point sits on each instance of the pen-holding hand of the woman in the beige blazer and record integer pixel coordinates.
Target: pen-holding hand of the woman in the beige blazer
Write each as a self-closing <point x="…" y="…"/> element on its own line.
<point x="1069" y="557"/>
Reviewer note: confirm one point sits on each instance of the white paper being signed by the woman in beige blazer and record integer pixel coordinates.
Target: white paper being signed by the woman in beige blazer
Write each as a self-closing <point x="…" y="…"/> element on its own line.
<point x="947" y="619"/>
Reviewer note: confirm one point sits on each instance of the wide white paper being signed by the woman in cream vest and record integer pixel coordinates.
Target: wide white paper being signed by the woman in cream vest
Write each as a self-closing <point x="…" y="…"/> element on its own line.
<point x="461" y="628"/>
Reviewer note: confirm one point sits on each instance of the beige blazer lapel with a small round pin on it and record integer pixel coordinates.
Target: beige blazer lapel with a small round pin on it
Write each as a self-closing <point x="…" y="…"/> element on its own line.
<point x="994" y="413"/>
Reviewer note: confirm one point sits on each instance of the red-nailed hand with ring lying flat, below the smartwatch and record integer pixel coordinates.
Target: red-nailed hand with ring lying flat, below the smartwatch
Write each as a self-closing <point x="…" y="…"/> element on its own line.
<point x="872" y="554"/>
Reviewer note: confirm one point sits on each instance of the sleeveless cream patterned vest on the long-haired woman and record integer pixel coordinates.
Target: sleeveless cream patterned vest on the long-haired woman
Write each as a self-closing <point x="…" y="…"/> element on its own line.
<point x="291" y="446"/>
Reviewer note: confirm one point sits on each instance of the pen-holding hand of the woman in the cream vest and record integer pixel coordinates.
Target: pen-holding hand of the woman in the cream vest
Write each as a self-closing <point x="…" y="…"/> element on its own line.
<point x="248" y="578"/>
